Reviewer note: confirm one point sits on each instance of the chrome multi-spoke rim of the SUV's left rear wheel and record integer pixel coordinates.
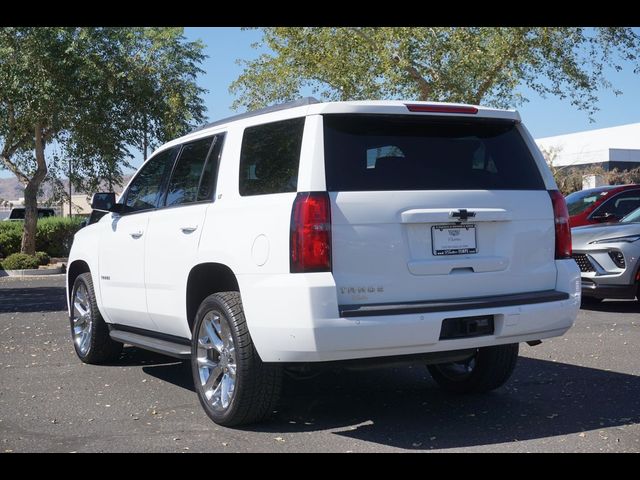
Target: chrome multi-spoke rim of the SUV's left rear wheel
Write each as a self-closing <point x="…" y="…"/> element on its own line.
<point x="216" y="360"/>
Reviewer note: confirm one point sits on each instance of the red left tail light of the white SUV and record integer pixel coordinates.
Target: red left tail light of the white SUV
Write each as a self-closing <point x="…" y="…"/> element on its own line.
<point x="310" y="243"/>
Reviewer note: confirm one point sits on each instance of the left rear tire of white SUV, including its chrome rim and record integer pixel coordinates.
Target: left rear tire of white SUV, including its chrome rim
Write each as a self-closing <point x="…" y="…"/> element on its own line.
<point x="233" y="385"/>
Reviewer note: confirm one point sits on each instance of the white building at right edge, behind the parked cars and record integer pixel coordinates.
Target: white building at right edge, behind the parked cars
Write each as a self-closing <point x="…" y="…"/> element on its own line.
<point x="614" y="147"/>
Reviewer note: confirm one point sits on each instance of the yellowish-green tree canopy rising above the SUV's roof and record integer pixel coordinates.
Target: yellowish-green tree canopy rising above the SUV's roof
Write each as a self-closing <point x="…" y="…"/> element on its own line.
<point x="470" y="65"/>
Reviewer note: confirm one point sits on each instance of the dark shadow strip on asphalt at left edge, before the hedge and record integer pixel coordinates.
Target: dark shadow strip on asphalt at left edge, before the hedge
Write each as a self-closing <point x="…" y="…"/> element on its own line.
<point x="32" y="299"/>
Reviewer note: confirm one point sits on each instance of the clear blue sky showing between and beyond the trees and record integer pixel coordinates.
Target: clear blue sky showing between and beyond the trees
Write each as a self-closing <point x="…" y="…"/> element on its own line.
<point x="543" y="117"/>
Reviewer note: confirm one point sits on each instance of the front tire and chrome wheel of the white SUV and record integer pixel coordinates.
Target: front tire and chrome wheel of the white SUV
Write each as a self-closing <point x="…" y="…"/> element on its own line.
<point x="89" y="331"/>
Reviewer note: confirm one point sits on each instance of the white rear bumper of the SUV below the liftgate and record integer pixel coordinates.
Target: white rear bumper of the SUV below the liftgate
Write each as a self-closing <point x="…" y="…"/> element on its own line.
<point x="306" y="326"/>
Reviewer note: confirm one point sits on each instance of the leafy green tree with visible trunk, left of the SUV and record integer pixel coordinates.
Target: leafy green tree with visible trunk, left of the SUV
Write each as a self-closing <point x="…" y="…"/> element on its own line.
<point x="81" y="92"/>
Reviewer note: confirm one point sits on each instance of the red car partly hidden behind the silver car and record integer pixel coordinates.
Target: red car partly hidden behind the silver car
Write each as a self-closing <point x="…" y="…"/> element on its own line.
<point x="605" y="204"/>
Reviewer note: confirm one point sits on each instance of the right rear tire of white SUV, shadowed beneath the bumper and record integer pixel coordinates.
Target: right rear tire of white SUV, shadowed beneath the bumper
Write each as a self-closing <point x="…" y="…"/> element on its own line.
<point x="487" y="370"/>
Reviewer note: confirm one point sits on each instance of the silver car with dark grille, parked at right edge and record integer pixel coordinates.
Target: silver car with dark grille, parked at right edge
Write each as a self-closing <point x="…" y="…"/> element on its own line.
<point x="608" y="258"/>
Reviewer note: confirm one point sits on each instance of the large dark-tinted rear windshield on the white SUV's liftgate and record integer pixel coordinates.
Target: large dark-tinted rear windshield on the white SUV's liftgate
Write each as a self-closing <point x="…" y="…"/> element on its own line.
<point x="384" y="152"/>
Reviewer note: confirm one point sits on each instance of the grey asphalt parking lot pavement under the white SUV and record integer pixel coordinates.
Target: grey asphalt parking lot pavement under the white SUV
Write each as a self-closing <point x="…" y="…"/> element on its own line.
<point x="577" y="393"/>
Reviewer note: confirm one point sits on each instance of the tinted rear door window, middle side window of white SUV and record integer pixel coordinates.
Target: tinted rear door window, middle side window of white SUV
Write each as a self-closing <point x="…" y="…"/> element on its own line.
<point x="185" y="179"/>
